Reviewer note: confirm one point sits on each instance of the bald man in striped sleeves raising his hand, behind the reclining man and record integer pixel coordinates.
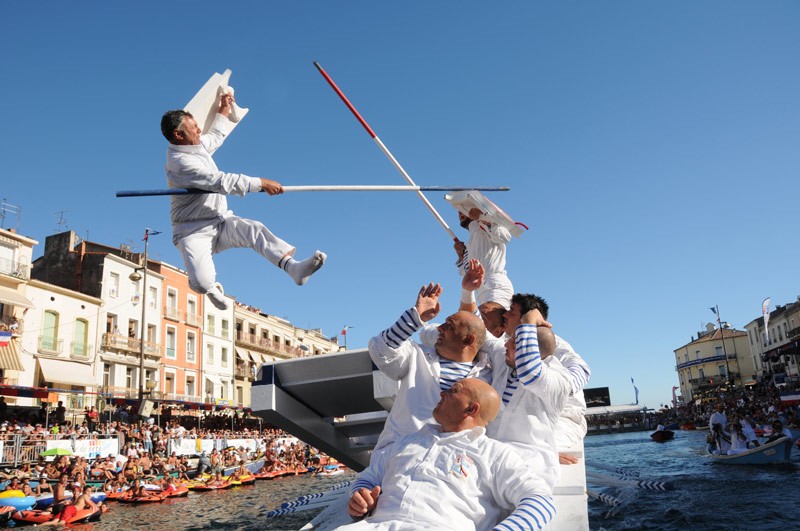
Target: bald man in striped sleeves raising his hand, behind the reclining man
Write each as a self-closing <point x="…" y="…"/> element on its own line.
<point x="425" y="371"/>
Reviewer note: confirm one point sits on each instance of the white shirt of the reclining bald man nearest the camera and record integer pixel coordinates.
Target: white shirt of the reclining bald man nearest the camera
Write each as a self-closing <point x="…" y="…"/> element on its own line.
<point x="461" y="481"/>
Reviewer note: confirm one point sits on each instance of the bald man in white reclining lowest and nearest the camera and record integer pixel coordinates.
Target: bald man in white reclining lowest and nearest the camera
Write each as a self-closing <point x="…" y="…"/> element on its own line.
<point x="449" y="475"/>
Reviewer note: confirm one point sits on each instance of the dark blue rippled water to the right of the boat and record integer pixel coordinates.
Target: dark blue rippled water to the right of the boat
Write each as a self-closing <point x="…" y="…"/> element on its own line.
<point x="707" y="495"/>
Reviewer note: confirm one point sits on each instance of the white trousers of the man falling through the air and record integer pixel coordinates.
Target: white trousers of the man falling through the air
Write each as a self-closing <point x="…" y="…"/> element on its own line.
<point x="198" y="247"/>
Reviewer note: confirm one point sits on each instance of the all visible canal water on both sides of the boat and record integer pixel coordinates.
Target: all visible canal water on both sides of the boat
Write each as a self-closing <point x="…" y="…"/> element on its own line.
<point x="707" y="496"/>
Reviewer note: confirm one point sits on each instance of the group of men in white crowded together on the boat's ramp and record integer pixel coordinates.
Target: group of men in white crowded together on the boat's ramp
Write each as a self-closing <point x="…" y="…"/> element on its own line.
<point x="485" y="401"/>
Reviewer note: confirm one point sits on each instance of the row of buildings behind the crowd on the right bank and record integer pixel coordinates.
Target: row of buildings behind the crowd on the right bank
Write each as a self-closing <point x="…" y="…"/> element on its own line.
<point x="722" y="356"/>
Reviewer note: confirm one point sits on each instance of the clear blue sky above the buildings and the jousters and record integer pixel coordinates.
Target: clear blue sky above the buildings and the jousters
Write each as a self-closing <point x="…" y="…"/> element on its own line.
<point x="650" y="146"/>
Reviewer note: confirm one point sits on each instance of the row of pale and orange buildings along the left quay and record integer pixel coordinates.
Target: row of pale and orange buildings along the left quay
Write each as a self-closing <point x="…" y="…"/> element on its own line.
<point x="75" y="318"/>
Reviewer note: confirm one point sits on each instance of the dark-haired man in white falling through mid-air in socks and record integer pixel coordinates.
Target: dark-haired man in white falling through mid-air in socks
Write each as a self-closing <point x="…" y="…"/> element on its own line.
<point x="202" y="225"/>
